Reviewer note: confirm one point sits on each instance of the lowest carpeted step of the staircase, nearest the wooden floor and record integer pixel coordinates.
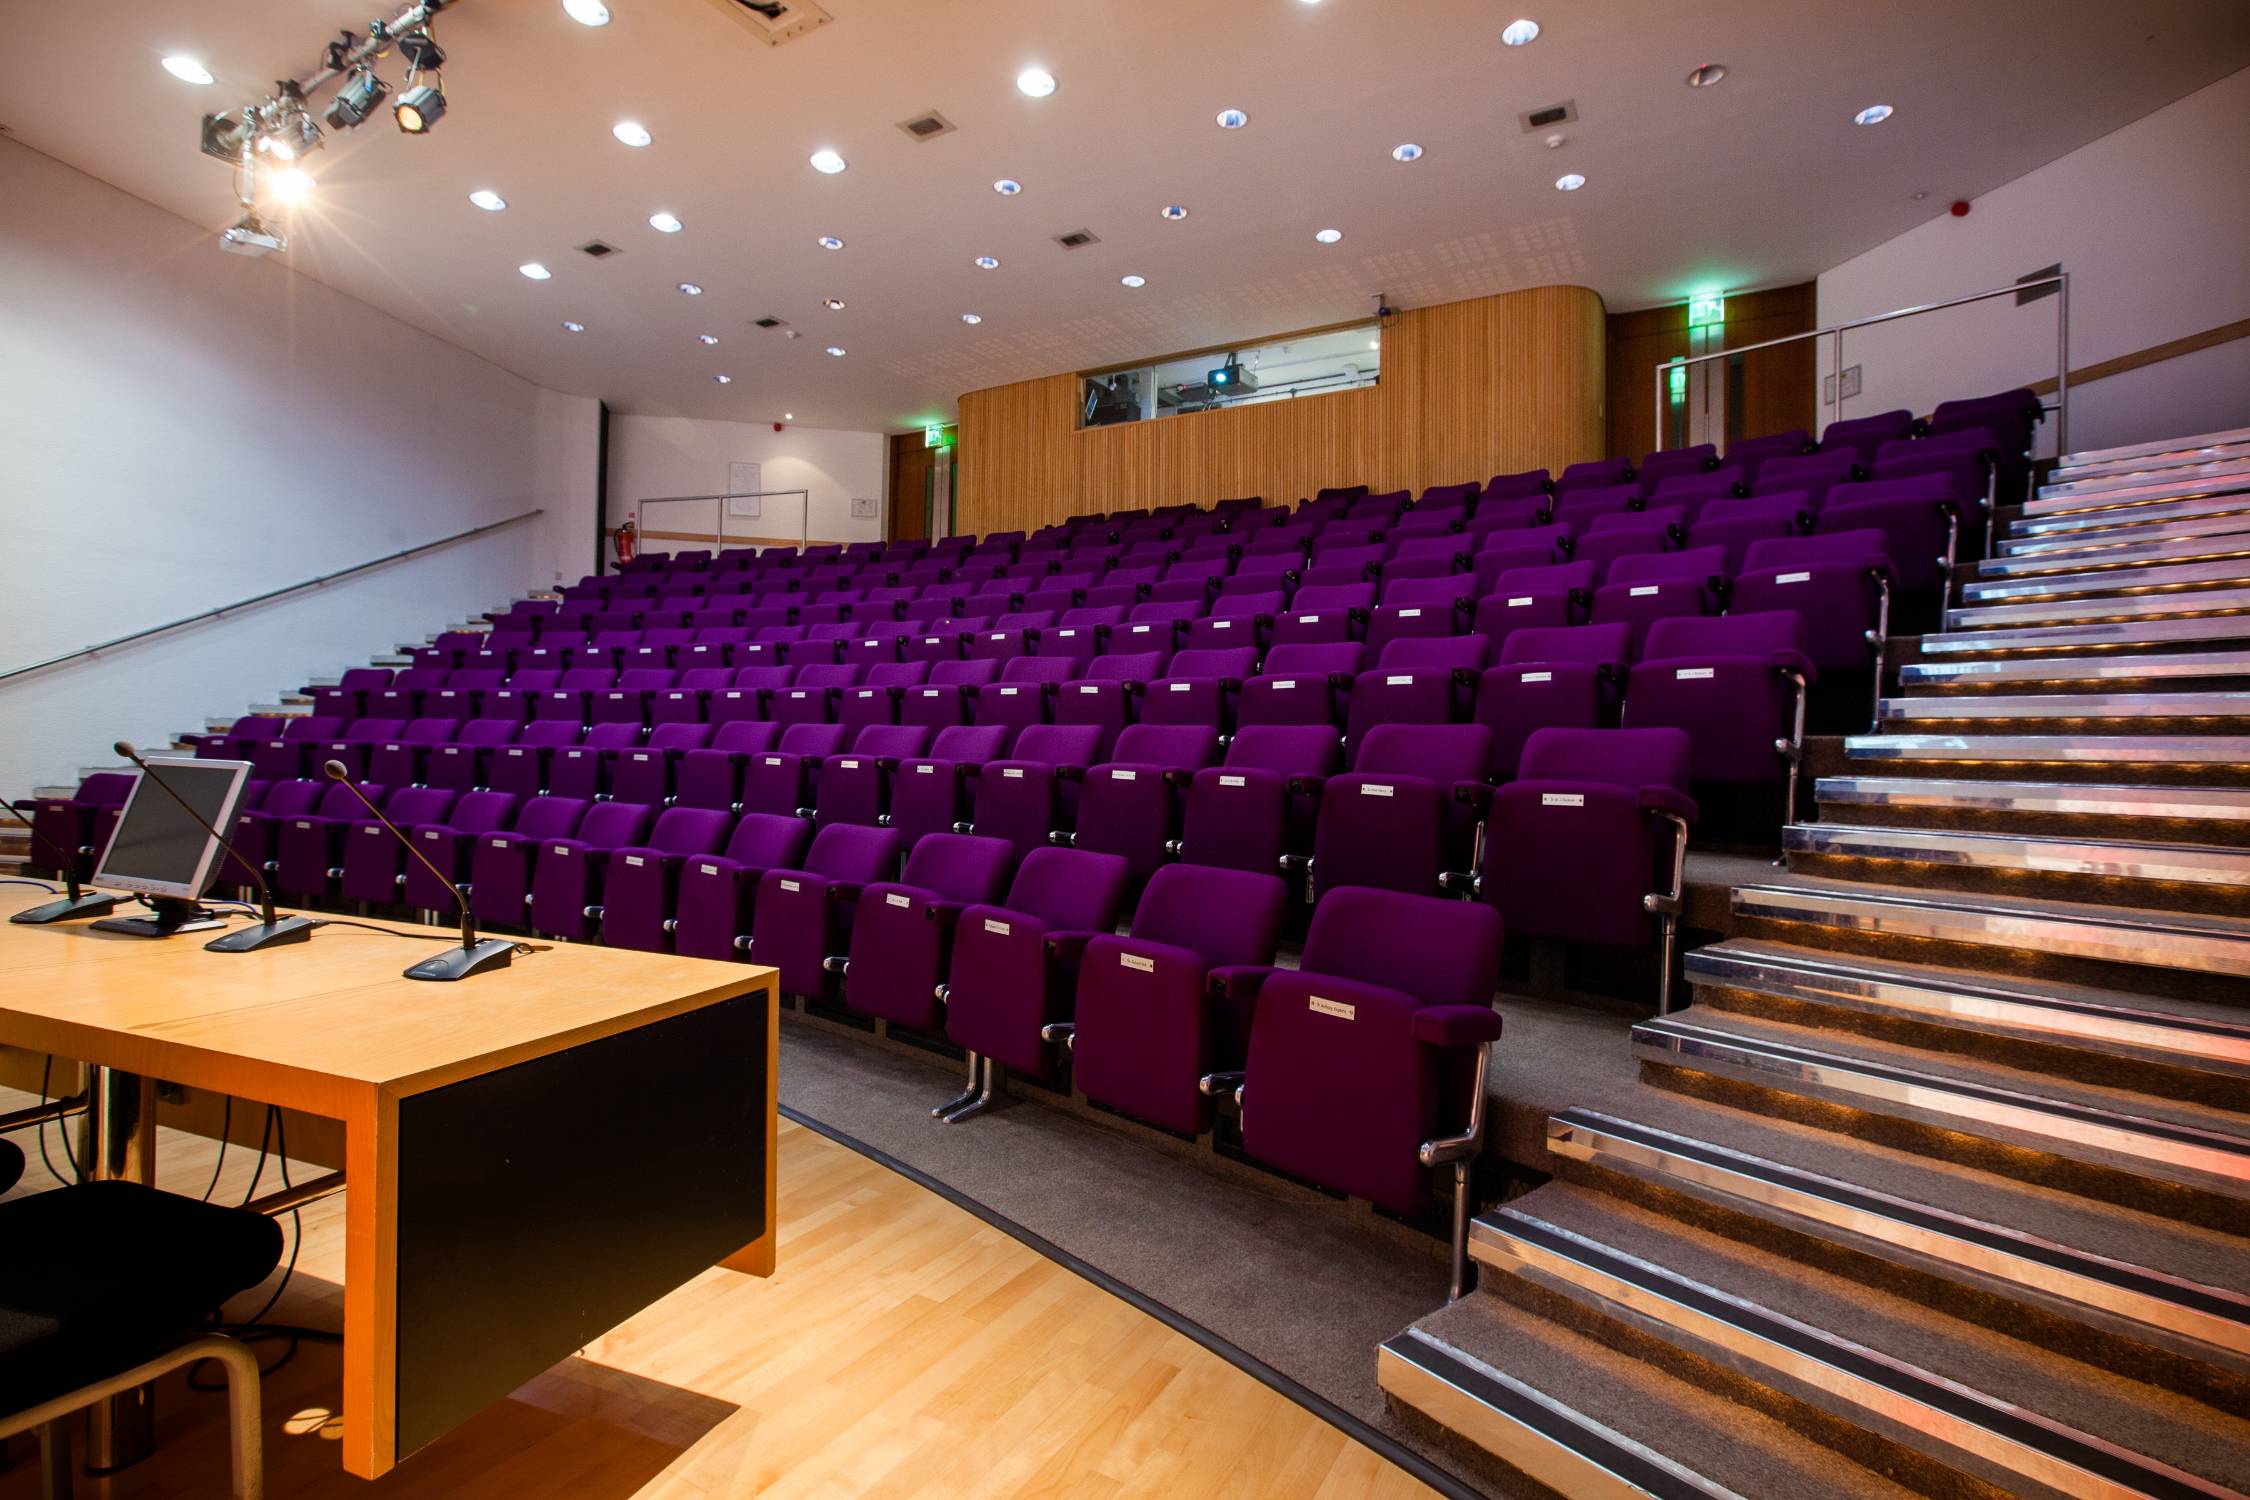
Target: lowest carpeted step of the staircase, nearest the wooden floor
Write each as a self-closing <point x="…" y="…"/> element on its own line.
<point x="1585" y="1420"/>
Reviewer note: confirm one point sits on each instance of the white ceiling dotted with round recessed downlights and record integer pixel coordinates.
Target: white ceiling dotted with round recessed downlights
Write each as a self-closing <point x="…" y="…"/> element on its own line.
<point x="1754" y="183"/>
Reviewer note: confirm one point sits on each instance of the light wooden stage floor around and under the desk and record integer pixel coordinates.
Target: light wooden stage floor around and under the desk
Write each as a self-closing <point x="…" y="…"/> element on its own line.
<point x="903" y="1350"/>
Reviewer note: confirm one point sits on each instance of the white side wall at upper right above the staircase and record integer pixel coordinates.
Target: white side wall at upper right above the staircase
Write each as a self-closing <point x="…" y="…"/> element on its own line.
<point x="2154" y="228"/>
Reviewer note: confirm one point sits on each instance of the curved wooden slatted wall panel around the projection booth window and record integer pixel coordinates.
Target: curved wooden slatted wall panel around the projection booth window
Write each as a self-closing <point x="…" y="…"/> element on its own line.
<point x="1468" y="390"/>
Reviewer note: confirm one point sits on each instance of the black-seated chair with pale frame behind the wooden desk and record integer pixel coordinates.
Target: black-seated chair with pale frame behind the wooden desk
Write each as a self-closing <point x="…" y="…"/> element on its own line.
<point x="102" y="1287"/>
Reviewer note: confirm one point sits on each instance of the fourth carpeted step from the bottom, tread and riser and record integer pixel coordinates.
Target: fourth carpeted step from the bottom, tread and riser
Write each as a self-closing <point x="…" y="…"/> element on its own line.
<point x="2107" y="1144"/>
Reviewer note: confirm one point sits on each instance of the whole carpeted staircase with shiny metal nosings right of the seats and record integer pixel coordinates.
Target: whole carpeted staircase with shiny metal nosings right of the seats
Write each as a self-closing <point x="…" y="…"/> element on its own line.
<point x="1943" y="1182"/>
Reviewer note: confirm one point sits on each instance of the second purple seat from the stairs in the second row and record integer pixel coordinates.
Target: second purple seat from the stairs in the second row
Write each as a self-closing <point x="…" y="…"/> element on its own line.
<point x="1407" y="813"/>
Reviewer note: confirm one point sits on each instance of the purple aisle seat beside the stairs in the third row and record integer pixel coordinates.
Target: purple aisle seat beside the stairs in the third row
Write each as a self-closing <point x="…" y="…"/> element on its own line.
<point x="1736" y="685"/>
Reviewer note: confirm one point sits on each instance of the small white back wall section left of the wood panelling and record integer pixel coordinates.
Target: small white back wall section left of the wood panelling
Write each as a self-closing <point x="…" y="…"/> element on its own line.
<point x="683" y="455"/>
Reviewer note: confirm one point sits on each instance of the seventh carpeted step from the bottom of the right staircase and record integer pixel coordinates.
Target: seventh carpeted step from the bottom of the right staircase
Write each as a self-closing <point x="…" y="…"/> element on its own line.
<point x="2208" y="878"/>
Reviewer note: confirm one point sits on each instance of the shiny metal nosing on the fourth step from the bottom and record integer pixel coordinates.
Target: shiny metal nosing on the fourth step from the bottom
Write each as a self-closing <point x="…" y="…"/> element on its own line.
<point x="2157" y="1148"/>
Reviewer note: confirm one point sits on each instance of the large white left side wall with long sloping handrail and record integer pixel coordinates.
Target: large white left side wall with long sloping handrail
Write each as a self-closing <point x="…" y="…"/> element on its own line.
<point x="183" y="428"/>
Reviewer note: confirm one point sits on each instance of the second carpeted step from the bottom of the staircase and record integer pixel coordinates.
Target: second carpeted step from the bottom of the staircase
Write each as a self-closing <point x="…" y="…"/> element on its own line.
<point x="1722" y="1312"/>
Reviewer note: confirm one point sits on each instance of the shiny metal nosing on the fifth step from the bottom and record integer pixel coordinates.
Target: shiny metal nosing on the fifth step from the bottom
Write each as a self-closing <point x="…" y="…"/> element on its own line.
<point x="1871" y="988"/>
